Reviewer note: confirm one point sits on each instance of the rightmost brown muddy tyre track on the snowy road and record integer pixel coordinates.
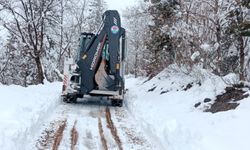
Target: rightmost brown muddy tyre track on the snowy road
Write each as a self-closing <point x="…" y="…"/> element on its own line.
<point x="113" y="129"/>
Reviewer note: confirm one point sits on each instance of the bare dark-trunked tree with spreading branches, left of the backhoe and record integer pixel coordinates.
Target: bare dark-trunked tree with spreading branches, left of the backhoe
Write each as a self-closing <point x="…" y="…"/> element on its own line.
<point x="28" y="23"/>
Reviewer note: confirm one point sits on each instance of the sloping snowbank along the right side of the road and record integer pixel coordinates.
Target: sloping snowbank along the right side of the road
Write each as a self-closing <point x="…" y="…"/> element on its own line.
<point x="165" y="107"/>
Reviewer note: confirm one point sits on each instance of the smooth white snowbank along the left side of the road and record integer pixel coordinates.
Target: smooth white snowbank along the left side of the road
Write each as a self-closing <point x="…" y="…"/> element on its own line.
<point x="22" y="111"/>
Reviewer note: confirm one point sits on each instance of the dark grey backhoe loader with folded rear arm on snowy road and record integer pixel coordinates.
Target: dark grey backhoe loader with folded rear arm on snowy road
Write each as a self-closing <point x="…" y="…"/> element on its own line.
<point x="98" y="69"/>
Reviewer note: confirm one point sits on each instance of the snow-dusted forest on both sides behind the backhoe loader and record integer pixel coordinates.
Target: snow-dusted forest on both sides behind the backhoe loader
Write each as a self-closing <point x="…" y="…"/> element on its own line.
<point x="37" y="35"/>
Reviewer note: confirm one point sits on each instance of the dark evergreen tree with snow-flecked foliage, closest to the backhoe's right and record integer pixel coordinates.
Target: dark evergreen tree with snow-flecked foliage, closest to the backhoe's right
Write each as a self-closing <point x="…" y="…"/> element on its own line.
<point x="160" y="41"/>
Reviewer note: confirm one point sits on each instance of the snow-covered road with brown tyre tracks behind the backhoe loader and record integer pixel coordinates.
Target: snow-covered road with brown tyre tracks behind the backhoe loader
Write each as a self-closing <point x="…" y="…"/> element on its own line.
<point x="90" y="124"/>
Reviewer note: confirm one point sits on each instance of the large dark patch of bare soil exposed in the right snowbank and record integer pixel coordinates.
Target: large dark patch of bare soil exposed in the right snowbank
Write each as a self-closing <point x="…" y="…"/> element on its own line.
<point x="227" y="100"/>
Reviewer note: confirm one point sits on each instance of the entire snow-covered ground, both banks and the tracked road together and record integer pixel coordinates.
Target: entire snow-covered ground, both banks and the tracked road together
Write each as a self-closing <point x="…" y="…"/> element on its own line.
<point x="158" y="114"/>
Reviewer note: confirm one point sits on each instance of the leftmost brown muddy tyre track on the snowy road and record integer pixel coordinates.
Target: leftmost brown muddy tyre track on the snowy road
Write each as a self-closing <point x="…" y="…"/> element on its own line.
<point x="59" y="135"/>
